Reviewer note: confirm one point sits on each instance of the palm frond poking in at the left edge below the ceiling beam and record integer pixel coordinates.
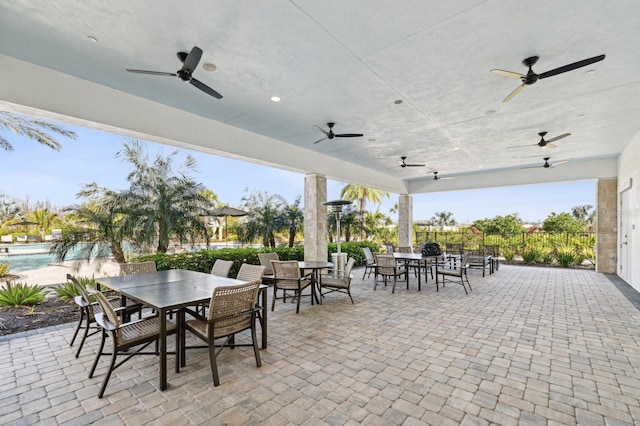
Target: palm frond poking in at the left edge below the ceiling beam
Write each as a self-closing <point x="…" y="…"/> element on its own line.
<point x="38" y="130"/>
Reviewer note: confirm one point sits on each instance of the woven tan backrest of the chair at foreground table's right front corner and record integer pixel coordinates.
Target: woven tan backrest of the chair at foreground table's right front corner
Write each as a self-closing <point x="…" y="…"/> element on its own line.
<point x="232" y="306"/>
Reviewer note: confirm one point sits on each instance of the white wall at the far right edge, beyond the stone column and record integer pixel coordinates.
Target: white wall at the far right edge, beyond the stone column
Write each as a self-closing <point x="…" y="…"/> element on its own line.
<point x="629" y="173"/>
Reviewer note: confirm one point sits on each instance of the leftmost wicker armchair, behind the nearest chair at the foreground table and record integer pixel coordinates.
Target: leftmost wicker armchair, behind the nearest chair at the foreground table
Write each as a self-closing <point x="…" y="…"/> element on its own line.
<point x="88" y="309"/>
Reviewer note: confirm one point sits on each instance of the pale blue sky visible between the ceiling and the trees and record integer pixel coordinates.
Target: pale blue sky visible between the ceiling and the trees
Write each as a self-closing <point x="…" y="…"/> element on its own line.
<point x="41" y="174"/>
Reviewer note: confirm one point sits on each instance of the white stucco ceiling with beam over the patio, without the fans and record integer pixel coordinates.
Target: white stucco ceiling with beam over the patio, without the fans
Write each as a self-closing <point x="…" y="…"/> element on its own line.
<point x="345" y="62"/>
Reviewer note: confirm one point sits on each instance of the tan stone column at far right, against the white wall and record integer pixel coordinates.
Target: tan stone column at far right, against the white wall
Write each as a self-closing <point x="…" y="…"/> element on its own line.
<point x="607" y="226"/>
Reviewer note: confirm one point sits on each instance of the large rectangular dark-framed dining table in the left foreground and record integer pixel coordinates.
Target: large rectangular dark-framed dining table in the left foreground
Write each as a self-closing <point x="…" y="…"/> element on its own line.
<point x="166" y="291"/>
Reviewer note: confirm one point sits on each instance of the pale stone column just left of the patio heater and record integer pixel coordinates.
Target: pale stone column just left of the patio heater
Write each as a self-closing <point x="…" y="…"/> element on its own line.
<point x="315" y="218"/>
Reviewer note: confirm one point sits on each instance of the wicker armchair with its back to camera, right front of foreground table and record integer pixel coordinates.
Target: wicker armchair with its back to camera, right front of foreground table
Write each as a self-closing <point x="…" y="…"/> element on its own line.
<point x="232" y="309"/>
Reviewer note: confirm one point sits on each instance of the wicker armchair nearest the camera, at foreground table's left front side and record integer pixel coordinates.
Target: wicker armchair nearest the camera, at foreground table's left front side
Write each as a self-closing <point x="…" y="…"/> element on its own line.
<point x="125" y="336"/>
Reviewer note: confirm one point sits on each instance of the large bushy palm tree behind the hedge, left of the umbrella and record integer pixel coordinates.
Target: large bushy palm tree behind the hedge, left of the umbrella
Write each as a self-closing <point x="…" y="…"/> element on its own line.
<point x="161" y="203"/>
